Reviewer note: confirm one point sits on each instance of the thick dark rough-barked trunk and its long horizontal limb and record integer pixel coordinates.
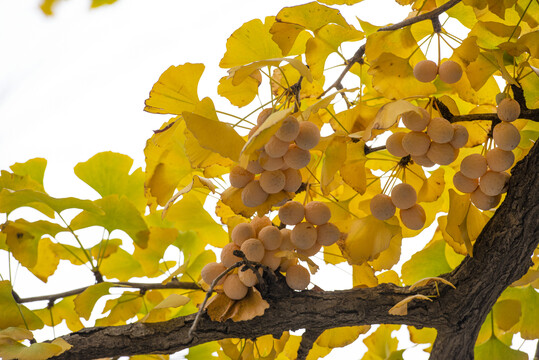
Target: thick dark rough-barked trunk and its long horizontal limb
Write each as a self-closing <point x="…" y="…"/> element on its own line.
<point x="502" y="254"/>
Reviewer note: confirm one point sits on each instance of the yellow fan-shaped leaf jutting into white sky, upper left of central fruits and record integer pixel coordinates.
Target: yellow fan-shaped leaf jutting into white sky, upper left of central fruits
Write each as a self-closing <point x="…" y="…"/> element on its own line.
<point x="176" y="90"/>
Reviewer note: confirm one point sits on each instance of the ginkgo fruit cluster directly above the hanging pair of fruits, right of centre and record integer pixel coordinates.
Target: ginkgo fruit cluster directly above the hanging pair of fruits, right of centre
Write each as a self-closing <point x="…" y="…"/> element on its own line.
<point x="439" y="144"/>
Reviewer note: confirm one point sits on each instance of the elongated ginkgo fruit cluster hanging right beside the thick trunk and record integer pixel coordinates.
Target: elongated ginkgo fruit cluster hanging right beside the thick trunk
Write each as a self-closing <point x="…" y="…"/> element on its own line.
<point x="486" y="177"/>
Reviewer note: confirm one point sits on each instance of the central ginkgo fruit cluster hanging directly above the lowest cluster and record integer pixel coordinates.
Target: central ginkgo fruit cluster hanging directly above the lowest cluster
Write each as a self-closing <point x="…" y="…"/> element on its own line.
<point x="279" y="162"/>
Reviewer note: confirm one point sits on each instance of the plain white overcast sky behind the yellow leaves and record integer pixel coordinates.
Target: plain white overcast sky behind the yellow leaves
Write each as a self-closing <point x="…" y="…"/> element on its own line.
<point x="74" y="84"/>
